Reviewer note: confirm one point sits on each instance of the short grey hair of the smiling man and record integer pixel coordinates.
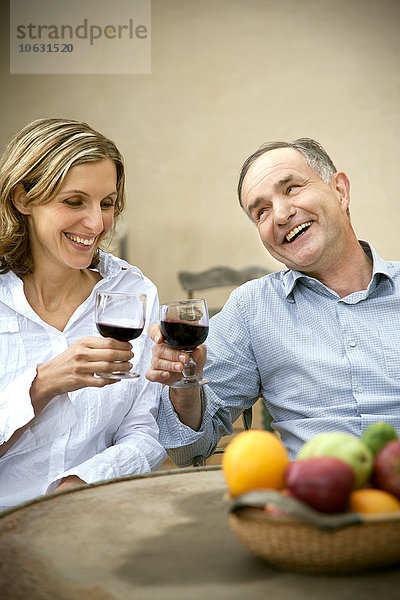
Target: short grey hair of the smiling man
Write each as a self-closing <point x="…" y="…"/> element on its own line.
<point x="315" y="155"/>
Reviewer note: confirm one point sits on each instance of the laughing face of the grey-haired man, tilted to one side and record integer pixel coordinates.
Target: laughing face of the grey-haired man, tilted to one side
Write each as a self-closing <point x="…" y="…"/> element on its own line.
<point x="301" y="219"/>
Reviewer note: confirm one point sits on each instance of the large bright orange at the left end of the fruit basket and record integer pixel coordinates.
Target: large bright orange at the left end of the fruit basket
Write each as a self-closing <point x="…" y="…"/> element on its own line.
<point x="254" y="459"/>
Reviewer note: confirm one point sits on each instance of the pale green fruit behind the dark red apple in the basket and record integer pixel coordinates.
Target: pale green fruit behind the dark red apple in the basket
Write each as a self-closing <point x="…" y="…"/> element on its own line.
<point x="345" y="446"/>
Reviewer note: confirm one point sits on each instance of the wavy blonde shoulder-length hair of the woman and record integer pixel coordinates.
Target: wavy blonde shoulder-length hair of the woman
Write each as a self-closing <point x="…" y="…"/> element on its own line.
<point x="39" y="157"/>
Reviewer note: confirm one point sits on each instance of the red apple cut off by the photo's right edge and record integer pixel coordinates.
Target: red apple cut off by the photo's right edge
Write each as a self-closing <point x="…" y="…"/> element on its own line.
<point x="387" y="468"/>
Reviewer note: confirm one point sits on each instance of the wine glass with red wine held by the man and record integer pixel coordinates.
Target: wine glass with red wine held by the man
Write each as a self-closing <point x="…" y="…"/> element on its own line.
<point x="184" y="325"/>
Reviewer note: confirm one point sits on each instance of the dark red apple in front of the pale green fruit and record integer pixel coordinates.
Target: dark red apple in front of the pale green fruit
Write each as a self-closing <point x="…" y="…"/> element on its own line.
<point x="322" y="482"/>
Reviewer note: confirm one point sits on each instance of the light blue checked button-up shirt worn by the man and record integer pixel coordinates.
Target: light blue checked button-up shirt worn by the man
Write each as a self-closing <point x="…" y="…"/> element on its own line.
<point x="321" y="362"/>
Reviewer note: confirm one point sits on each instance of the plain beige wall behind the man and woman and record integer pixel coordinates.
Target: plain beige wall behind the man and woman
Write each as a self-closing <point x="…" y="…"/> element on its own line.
<point x="228" y="75"/>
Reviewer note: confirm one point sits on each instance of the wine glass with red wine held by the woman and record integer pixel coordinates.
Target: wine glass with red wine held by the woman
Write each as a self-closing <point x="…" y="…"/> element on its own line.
<point x="122" y="317"/>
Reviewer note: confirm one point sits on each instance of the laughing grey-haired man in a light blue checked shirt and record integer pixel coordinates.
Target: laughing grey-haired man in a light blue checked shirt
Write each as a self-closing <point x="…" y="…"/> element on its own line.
<point x="319" y="340"/>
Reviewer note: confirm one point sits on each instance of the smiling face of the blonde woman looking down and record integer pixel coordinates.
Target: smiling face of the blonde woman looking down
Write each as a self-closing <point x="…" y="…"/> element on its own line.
<point x="67" y="230"/>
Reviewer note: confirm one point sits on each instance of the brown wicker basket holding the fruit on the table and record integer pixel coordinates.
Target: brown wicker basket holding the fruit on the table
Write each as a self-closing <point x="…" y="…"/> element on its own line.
<point x="288" y="534"/>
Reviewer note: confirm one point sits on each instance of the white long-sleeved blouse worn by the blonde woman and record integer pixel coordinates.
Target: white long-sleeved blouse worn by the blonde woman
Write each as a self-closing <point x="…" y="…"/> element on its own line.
<point x="94" y="433"/>
